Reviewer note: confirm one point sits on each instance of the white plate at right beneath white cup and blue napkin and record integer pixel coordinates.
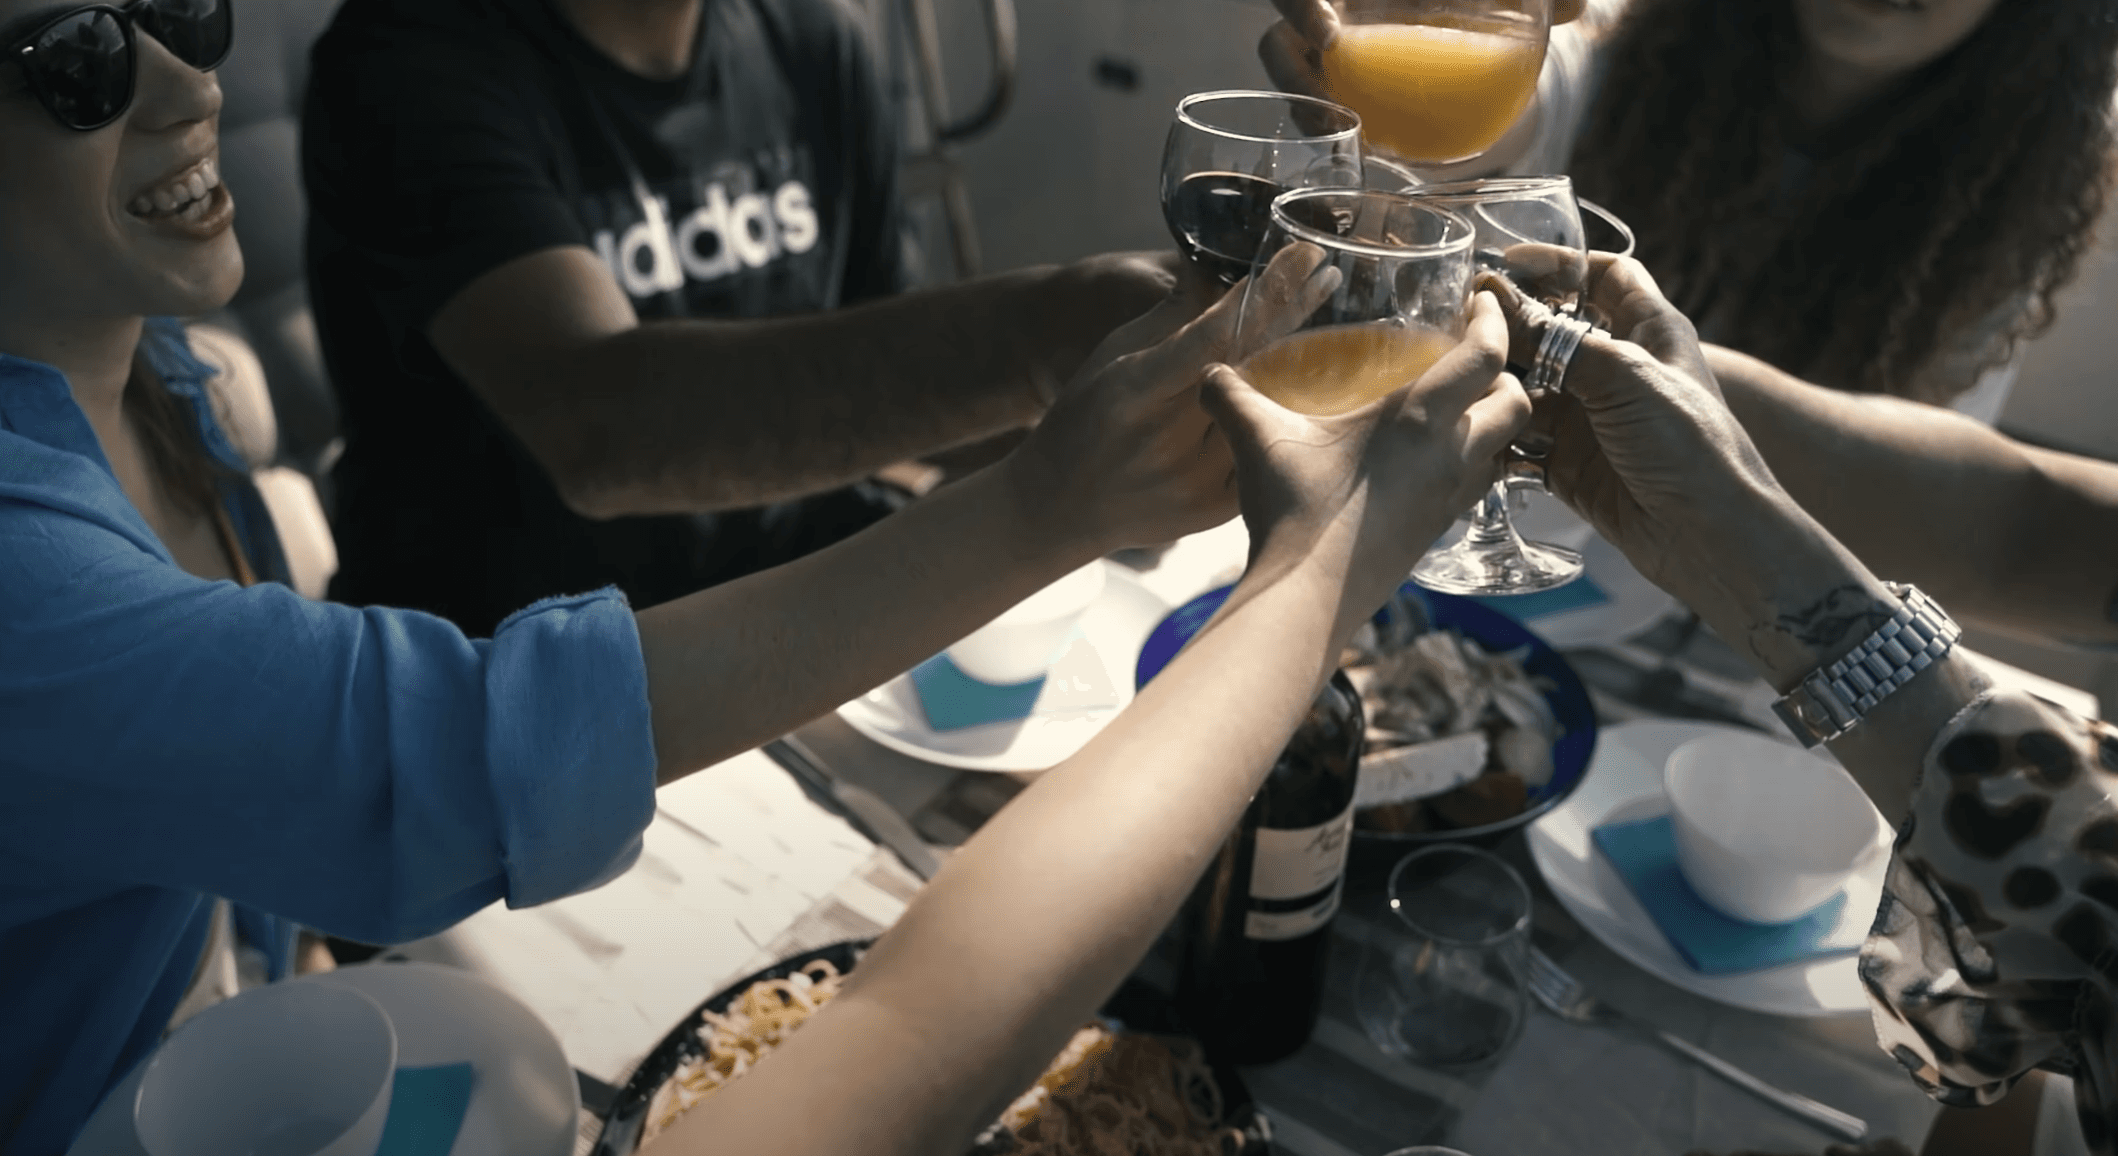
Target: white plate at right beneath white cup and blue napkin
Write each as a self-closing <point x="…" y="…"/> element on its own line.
<point x="1626" y="782"/>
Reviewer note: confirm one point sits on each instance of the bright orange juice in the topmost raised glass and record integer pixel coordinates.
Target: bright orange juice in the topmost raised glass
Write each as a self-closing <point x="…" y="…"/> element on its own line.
<point x="1433" y="94"/>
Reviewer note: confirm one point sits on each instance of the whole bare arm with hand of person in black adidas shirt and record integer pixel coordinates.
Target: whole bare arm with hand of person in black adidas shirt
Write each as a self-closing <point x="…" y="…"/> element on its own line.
<point x="713" y="414"/>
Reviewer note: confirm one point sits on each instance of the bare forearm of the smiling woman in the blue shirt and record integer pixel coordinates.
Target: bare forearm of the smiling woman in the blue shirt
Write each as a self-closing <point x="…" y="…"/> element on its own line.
<point x="736" y="666"/>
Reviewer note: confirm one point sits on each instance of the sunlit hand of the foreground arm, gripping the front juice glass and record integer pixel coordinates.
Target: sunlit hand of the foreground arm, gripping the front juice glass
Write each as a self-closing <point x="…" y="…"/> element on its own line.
<point x="1393" y="475"/>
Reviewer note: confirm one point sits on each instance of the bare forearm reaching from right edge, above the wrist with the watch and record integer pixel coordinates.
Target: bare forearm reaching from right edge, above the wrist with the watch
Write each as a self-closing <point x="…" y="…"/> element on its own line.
<point x="2005" y="535"/>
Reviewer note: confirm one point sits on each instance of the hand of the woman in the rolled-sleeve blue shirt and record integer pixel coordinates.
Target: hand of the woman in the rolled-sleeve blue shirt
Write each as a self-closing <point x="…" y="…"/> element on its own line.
<point x="1128" y="456"/>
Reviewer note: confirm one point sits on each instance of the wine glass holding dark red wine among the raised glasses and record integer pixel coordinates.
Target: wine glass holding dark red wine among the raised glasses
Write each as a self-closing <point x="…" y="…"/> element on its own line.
<point x="1232" y="153"/>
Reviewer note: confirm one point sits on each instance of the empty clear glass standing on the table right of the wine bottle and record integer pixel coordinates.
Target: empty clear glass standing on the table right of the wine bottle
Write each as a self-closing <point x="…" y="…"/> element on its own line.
<point x="1443" y="981"/>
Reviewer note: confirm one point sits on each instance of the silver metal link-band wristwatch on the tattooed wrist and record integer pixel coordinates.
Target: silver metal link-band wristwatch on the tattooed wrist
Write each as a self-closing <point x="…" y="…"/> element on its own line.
<point x="1835" y="698"/>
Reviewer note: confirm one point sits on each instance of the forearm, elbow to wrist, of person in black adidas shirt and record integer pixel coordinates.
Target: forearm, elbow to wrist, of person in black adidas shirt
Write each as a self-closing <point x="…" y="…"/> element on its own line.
<point x="717" y="414"/>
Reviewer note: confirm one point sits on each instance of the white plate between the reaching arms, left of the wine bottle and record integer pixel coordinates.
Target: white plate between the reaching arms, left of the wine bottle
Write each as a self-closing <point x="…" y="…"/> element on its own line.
<point x="1115" y="630"/>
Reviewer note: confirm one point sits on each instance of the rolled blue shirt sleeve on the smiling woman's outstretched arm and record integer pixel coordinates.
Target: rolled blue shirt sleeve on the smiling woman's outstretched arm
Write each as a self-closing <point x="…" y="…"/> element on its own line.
<point x="372" y="774"/>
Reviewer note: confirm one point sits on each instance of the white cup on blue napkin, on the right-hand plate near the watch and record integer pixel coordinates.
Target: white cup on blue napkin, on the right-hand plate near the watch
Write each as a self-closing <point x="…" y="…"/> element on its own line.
<point x="1765" y="831"/>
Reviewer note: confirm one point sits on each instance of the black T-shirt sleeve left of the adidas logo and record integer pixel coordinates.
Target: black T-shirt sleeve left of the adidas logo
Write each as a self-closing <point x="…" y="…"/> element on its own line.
<point x="429" y="158"/>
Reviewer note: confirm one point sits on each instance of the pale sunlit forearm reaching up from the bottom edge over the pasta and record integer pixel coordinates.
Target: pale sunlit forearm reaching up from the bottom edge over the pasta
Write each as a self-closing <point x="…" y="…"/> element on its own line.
<point x="1039" y="918"/>
